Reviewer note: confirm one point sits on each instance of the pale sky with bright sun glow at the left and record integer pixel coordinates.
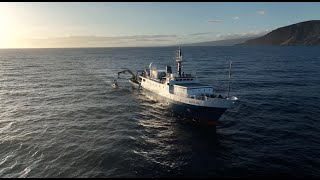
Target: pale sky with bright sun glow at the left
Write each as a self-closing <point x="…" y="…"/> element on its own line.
<point x="125" y="24"/>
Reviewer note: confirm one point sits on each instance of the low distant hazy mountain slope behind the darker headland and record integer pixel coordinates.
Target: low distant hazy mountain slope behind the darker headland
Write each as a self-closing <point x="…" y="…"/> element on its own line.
<point x="227" y="42"/>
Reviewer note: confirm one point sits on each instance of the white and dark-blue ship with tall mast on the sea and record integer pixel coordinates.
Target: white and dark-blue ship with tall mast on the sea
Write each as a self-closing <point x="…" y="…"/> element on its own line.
<point x="183" y="92"/>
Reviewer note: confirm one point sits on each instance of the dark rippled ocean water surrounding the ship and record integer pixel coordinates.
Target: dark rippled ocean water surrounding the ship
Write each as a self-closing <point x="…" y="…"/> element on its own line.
<point x="59" y="116"/>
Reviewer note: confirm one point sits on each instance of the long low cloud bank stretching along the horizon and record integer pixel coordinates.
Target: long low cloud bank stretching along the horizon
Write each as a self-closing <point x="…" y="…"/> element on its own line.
<point x="130" y="40"/>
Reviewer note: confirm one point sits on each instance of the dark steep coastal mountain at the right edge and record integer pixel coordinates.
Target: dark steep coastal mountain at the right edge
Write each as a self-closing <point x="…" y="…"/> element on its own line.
<point x="303" y="33"/>
